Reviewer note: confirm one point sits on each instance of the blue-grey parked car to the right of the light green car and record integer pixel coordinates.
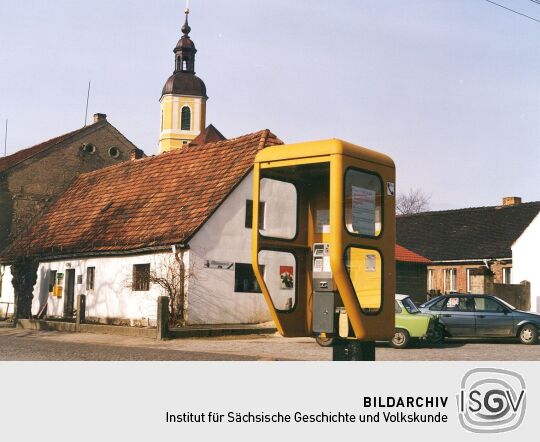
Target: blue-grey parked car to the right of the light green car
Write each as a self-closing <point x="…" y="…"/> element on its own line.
<point x="465" y="315"/>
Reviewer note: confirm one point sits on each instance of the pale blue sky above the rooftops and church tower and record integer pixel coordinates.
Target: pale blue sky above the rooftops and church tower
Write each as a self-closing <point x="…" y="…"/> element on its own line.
<point x="450" y="89"/>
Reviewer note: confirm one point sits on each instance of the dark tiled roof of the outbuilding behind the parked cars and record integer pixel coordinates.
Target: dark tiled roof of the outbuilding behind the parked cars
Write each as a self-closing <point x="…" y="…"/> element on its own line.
<point x="474" y="233"/>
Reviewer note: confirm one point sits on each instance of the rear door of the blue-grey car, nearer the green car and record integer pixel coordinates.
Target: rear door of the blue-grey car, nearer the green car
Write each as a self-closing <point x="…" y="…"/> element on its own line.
<point x="457" y="316"/>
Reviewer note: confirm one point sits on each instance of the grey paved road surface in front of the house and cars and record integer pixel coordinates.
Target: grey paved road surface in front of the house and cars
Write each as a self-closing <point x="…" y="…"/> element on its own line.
<point x="33" y="345"/>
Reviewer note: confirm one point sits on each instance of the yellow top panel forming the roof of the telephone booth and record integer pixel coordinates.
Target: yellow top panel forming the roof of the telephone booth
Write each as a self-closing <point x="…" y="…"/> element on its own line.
<point x="321" y="149"/>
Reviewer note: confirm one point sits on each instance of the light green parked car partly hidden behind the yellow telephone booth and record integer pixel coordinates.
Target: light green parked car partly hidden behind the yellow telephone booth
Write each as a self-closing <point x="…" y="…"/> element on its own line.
<point x="410" y="324"/>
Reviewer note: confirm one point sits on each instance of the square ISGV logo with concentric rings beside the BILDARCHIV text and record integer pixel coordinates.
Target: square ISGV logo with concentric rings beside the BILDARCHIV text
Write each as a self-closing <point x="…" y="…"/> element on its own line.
<point x="491" y="400"/>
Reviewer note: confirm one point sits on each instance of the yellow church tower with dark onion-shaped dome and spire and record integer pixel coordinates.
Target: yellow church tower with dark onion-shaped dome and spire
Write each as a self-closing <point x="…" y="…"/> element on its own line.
<point x="183" y="100"/>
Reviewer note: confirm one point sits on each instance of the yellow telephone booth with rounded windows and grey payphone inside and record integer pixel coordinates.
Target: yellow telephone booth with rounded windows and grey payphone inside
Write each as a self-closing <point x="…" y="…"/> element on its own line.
<point x="323" y="252"/>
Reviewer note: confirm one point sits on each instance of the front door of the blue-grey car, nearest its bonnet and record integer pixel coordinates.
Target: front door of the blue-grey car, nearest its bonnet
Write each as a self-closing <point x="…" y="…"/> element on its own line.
<point x="492" y="318"/>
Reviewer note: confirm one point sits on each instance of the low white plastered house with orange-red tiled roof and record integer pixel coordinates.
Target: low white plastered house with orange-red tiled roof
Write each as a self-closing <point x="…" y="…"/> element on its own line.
<point x="112" y="226"/>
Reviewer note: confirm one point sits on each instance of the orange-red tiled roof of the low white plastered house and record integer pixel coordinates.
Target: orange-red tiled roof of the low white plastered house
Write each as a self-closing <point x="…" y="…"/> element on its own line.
<point x="151" y="202"/>
